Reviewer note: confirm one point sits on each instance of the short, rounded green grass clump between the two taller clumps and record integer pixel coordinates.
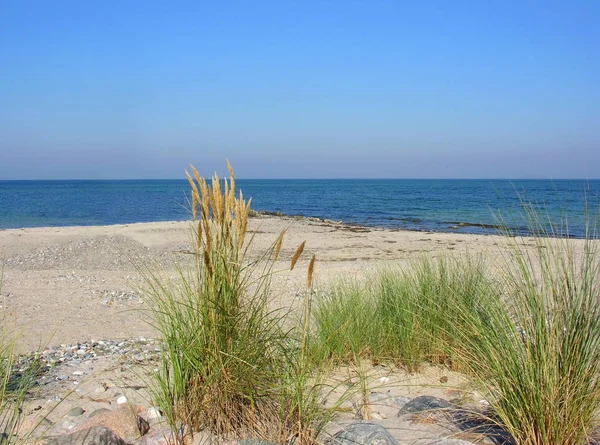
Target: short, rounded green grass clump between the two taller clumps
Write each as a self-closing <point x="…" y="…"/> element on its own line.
<point x="400" y="316"/>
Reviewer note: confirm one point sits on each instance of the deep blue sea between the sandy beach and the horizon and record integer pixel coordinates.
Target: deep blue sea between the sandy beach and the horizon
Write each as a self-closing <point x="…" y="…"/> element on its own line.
<point x="465" y="206"/>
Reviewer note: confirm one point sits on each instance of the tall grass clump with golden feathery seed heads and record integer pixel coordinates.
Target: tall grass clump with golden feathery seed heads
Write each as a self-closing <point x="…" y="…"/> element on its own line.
<point x="231" y="365"/>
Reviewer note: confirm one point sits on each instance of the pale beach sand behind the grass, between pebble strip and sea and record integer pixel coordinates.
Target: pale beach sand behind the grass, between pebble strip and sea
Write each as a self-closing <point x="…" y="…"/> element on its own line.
<point x="69" y="284"/>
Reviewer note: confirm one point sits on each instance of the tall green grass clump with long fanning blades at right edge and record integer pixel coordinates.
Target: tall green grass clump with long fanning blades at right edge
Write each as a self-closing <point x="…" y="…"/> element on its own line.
<point x="537" y="351"/>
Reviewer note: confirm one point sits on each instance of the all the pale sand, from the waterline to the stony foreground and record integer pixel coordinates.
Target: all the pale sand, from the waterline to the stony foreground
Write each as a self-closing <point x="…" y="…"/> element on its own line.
<point x="72" y="284"/>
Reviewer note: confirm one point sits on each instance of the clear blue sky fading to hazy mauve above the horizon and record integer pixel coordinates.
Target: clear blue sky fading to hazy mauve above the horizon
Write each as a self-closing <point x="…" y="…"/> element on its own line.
<point x="300" y="89"/>
